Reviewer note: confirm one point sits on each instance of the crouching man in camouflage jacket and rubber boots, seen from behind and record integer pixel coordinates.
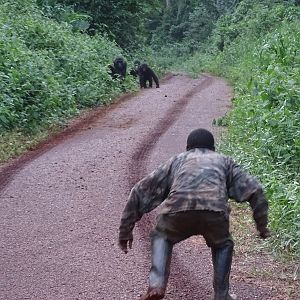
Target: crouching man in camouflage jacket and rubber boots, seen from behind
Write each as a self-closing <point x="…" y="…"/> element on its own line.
<point x="192" y="189"/>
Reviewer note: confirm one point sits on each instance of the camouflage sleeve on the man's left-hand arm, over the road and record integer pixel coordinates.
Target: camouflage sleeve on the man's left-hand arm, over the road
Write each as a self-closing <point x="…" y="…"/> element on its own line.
<point x="145" y="196"/>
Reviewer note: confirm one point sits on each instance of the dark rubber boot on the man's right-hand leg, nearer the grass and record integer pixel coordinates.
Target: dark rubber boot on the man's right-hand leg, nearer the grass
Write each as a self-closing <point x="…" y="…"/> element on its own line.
<point x="222" y="258"/>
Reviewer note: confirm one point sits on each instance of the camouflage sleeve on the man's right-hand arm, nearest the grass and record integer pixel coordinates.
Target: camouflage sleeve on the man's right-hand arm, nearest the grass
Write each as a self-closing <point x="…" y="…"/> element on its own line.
<point x="243" y="187"/>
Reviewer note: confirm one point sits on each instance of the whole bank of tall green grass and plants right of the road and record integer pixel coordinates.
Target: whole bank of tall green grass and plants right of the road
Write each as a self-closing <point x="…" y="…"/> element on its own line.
<point x="261" y="58"/>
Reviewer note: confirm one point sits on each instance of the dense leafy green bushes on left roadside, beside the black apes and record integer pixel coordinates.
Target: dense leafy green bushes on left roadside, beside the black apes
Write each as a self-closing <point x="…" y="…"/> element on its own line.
<point x="48" y="72"/>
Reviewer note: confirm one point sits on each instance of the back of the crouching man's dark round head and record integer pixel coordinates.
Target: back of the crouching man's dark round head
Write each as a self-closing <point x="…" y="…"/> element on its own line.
<point x="200" y="138"/>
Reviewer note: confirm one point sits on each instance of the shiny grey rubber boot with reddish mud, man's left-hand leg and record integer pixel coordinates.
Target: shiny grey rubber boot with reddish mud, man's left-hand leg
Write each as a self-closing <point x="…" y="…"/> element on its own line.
<point x="160" y="269"/>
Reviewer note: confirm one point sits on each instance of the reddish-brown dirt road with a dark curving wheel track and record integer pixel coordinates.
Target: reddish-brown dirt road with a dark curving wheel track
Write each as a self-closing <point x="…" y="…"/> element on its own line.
<point x="60" y="206"/>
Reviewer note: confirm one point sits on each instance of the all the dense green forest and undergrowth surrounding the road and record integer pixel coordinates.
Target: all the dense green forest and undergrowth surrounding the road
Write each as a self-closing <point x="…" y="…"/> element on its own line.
<point x="54" y="57"/>
